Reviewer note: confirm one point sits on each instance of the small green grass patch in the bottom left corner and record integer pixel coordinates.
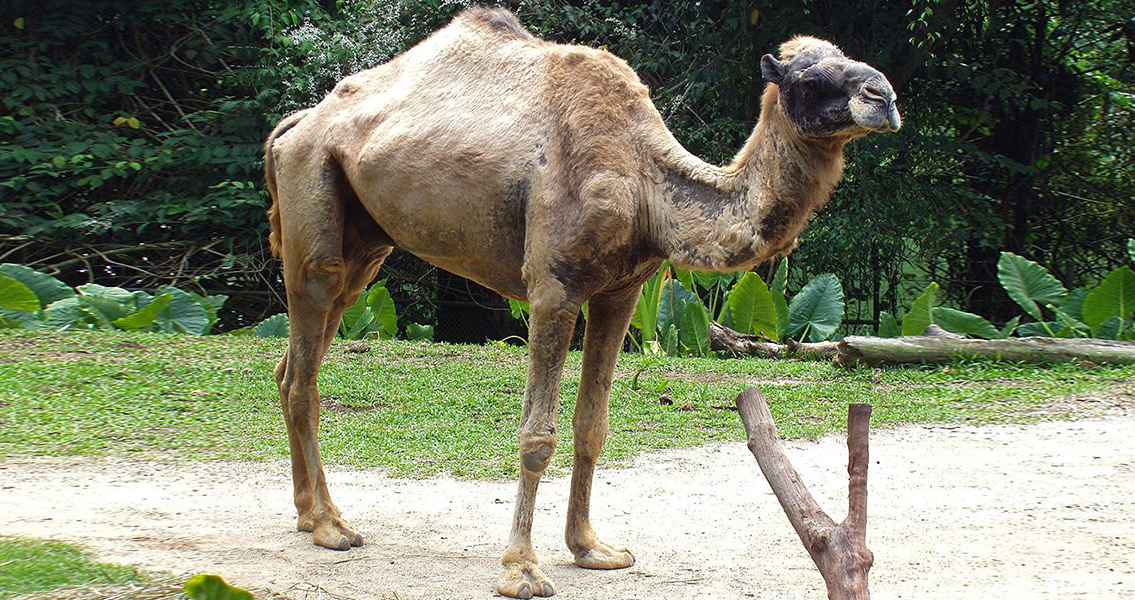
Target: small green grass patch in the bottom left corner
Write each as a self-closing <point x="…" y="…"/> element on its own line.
<point x="30" y="567"/>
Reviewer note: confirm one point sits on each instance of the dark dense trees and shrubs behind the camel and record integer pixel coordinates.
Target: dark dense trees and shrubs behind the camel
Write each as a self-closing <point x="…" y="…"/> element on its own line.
<point x="131" y="134"/>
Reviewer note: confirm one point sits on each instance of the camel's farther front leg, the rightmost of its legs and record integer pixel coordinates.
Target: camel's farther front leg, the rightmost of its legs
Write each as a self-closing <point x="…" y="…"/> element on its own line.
<point x="607" y="327"/>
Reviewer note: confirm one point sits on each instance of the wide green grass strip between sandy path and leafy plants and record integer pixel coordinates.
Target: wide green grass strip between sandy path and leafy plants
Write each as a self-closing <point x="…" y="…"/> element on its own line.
<point x="419" y="410"/>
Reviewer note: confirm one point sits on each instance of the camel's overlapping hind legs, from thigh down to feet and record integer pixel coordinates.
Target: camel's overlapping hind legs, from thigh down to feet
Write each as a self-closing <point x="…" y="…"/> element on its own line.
<point x="332" y="250"/>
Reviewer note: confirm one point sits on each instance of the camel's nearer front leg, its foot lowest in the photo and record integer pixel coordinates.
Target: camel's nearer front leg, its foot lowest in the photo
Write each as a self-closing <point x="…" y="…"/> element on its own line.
<point x="550" y="335"/>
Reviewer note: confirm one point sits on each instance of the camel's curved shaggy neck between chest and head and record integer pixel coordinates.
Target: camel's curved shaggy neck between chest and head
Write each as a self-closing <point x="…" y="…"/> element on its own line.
<point x="732" y="218"/>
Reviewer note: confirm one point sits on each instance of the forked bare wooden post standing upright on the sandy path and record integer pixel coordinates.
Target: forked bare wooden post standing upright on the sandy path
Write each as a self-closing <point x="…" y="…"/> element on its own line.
<point x="840" y="552"/>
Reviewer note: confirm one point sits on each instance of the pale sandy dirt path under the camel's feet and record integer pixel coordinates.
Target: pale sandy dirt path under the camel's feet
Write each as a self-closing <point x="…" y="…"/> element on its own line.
<point x="959" y="513"/>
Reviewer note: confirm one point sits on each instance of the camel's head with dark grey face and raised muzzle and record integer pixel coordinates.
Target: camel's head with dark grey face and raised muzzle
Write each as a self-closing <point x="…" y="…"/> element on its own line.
<point x="827" y="95"/>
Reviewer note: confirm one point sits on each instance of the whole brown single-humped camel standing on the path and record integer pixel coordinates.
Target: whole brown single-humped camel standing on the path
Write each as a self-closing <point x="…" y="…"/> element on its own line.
<point x="545" y="173"/>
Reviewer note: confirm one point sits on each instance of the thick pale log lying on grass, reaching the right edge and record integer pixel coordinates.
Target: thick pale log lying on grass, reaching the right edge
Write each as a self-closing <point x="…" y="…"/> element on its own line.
<point x="869" y="351"/>
